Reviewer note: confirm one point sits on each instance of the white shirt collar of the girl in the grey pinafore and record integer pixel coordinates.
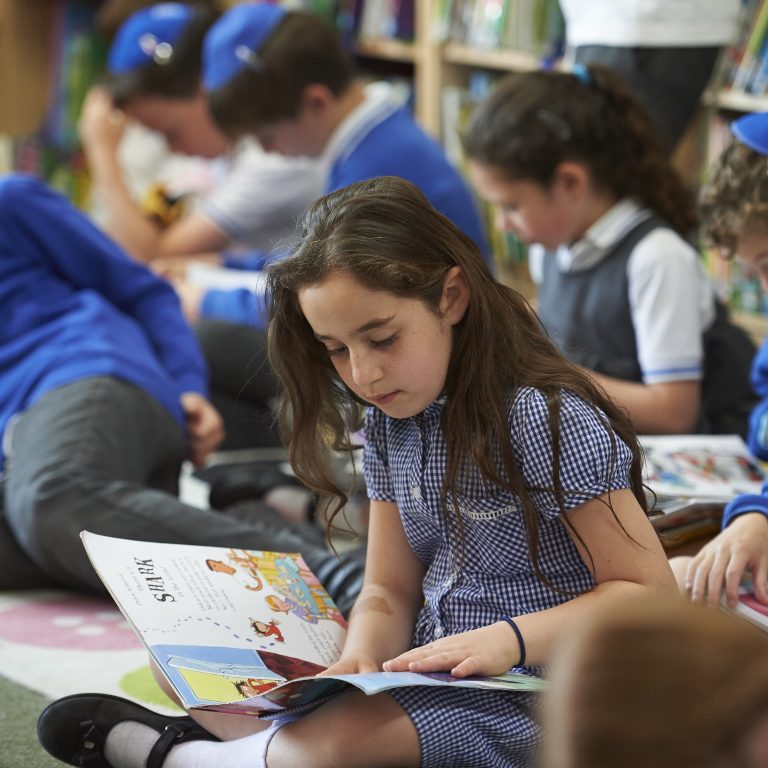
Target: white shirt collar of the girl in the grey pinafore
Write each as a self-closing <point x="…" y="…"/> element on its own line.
<point x="600" y="239"/>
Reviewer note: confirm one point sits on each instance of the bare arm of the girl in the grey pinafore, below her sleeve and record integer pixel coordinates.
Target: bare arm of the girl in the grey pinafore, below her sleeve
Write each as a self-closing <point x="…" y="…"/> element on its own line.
<point x="670" y="407"/>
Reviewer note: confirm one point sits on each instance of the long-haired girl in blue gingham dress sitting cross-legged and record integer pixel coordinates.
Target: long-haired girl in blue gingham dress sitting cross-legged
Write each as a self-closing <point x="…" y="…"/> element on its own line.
<point x="506" y="494"/>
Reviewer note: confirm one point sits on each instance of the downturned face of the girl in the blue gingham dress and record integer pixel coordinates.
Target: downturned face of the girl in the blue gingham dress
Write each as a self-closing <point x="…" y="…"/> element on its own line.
<point x="390" y="351"/>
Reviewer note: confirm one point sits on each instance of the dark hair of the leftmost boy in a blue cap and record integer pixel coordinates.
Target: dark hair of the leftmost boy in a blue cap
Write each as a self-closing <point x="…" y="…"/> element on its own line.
<point x="177" y="77"/>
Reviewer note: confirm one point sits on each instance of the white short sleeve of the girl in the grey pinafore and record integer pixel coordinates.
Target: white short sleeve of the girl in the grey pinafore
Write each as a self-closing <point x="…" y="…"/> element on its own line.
<point x="672" y="304"/>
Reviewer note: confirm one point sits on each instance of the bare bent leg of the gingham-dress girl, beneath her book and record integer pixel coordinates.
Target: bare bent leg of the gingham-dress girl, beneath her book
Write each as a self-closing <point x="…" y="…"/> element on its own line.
<point x="331" y="736"/>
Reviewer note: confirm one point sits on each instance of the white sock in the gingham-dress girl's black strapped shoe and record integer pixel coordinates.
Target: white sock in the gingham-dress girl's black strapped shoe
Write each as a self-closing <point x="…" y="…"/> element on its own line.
<point x="129" y="743"/>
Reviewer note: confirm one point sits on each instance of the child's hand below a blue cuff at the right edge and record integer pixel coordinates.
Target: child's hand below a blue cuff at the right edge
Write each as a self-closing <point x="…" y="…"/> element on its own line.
<point x="722" y="563"/>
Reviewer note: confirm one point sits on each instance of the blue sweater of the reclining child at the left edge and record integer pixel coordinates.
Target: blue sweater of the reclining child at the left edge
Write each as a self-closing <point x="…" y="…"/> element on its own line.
<point x="73" y="306"/>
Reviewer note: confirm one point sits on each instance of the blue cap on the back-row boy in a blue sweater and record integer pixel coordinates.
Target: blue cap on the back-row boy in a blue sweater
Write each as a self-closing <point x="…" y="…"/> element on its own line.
<point x="234" y="41"/>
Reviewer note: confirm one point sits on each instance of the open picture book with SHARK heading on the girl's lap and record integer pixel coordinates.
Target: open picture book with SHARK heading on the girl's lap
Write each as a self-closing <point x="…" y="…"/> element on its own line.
<point x="242" y="631"/>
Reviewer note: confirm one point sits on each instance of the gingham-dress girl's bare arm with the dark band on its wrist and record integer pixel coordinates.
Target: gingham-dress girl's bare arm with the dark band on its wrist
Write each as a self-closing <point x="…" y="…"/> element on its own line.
<point x="622" y="569"/>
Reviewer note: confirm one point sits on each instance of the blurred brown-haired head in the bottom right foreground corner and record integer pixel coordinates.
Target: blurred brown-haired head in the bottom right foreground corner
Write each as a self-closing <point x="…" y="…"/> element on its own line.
<point x="658" y="683"/>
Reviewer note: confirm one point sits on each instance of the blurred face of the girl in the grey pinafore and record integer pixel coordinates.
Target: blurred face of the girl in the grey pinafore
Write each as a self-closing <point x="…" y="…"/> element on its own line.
<point x="535" y="214"/>
